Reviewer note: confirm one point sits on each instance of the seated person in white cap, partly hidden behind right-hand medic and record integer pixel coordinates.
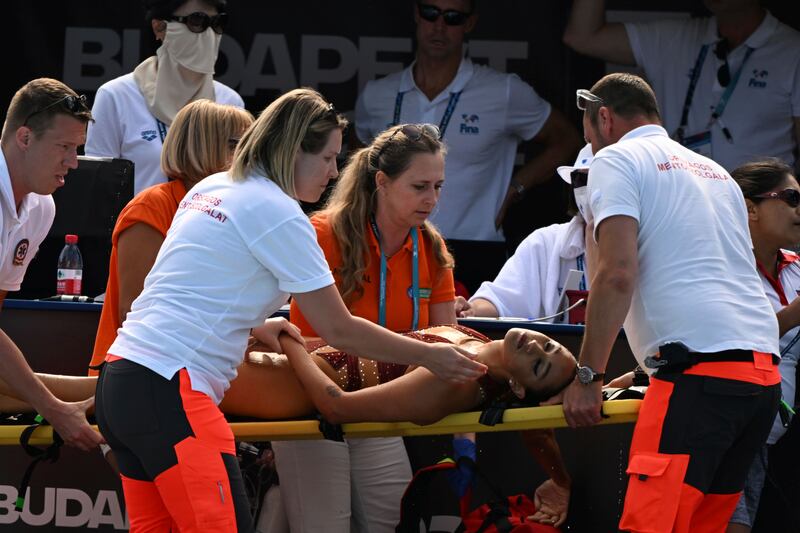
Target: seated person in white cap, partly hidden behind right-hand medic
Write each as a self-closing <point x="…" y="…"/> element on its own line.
<point x="530" y="283"/>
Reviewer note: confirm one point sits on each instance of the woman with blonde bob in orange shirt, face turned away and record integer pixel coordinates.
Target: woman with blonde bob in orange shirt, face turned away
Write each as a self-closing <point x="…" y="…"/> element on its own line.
<point x="200" y="142"/>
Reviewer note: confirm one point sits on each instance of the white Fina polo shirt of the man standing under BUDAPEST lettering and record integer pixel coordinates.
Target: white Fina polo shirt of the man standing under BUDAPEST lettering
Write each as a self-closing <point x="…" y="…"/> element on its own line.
<point x="490" y="115"/>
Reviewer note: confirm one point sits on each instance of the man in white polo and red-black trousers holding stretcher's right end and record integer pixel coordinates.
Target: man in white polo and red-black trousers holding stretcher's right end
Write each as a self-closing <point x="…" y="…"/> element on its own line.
<point x="674" y="262"/>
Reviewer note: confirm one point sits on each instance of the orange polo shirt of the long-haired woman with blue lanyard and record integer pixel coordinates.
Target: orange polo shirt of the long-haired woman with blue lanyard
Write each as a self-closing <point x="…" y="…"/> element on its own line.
<point x="435" y="283"/>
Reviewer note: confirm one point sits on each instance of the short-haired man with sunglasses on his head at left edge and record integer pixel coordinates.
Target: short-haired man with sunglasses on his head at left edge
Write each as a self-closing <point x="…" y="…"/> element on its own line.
<point x="45" y="124"/>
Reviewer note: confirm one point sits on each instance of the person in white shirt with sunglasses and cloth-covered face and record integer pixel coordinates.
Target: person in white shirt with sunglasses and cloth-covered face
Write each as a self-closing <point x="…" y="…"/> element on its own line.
<point x="133" y="112"/>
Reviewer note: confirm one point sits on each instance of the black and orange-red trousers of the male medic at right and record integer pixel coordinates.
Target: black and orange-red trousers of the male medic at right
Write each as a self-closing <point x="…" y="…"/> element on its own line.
<point x="693" y="444"/>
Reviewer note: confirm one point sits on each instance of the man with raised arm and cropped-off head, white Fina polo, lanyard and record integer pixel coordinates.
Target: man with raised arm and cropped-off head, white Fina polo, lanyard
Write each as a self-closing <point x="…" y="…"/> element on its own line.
<point x="728" y="85"/>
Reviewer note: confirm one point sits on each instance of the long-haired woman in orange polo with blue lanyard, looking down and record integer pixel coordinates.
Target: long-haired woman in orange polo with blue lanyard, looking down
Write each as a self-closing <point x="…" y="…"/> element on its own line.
<point x="391" y="267"/>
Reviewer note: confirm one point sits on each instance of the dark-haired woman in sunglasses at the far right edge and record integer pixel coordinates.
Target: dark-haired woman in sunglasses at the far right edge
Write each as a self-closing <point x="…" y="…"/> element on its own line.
<point x="772" y="195"/>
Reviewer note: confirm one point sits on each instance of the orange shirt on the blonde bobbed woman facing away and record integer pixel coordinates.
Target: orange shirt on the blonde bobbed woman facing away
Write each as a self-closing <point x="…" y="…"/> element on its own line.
<point x="154" y="206"/>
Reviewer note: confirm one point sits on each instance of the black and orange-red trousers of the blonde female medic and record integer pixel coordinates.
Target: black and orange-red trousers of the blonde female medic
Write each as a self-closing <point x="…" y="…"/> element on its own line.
<point x="175" y="451"/>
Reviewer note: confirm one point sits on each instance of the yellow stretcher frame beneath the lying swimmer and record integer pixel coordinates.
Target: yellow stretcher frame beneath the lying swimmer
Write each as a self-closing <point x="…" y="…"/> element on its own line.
<point x="551" y="416"/>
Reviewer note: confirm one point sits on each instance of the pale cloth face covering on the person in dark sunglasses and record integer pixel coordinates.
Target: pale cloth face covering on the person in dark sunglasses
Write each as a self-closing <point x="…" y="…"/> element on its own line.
<point x="196" y="52"/>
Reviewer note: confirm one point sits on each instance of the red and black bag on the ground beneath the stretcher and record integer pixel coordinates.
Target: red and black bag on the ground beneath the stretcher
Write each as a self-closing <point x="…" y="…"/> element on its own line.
<point x="502" y="515"/>
